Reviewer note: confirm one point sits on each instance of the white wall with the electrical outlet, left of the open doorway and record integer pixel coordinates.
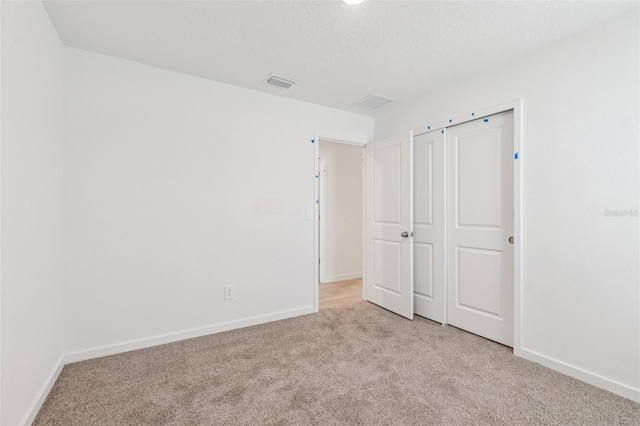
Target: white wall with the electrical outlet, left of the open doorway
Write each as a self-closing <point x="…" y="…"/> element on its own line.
<point x="176" y="186"/>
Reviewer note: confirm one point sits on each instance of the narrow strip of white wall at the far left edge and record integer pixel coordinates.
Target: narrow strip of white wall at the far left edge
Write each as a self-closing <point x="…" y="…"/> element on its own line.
<point x="31" y="215"/>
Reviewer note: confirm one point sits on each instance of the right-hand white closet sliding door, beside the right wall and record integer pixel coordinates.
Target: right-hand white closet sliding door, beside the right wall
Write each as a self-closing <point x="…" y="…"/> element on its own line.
<point x="479" y="224"/>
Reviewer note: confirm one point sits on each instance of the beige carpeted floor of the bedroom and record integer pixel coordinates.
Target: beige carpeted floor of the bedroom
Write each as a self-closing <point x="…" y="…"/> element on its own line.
<point x="356" y="365"/>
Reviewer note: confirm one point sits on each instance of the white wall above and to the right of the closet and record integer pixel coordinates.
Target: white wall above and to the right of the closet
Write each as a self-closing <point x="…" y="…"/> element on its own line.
<point x="581" y="288"/>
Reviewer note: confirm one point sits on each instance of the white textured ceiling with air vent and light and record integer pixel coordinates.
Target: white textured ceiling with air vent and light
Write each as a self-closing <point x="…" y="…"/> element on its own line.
<point x="337" y="53"/>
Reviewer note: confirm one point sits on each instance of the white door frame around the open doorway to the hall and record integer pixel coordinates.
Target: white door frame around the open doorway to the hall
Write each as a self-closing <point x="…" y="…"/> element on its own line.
<point x="317" y="139"/>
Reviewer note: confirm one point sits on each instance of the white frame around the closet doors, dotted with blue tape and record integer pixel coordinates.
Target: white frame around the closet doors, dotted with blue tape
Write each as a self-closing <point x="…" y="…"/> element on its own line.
<point x="516" y="106"/>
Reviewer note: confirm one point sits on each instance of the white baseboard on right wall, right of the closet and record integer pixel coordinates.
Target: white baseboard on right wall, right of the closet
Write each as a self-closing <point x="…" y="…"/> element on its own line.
<point x="583" y="375"/>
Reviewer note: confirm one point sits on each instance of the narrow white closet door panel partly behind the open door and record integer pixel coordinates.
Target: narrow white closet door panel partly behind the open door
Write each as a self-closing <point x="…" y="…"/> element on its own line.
<point x="428" y="225"/>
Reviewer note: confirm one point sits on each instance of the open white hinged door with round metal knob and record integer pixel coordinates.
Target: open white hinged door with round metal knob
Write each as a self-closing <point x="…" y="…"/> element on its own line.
<point x="388" y="277"/>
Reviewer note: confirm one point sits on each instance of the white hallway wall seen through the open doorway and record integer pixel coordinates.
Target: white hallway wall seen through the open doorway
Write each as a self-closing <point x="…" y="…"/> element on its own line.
<point x="341" y="225"/>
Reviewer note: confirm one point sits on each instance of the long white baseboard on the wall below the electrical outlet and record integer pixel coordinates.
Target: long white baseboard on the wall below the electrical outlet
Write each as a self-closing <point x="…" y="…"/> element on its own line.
<point x="182" y="335"/>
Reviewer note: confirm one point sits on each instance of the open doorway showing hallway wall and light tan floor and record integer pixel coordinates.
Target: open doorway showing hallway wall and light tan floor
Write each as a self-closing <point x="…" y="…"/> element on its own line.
<point x="340" y="223"/>
